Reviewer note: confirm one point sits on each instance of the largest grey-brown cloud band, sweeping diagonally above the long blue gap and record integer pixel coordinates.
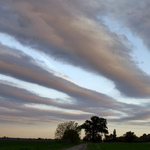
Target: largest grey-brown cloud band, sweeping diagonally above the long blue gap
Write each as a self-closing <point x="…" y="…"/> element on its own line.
<point x="71" y="35"/>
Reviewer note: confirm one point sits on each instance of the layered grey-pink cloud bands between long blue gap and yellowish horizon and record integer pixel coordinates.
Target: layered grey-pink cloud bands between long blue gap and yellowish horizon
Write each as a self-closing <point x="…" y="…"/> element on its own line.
<point x="87" y="101"/>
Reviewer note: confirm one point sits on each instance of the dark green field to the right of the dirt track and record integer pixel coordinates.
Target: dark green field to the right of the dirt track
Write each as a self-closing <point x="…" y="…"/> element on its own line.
<point x="119" y="146"/>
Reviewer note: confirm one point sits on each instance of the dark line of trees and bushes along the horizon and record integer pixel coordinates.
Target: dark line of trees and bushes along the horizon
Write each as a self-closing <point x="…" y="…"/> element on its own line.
<point x="96" y="130"/>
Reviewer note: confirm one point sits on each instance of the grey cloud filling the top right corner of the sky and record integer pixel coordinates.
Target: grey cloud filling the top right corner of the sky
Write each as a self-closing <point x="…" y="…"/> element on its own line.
<point x="135" y="17"/>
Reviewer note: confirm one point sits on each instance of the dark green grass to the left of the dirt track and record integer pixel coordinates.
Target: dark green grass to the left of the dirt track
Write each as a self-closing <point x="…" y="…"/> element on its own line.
<point x="32" y="145"/>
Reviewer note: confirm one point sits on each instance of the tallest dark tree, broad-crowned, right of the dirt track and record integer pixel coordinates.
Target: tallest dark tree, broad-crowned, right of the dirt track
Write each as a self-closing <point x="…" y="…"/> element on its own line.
<point x="94" y="129"/>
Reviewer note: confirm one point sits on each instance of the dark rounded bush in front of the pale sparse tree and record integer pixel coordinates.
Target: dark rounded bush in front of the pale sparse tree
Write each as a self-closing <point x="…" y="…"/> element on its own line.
<point x="71" y="136"/>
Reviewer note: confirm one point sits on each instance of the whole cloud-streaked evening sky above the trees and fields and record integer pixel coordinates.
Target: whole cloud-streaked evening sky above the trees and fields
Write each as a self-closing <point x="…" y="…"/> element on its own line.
<point x="63" y="60"/>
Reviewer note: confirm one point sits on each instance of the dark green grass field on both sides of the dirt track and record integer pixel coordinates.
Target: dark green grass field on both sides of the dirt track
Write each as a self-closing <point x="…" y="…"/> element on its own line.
<point x="48" y="145"/>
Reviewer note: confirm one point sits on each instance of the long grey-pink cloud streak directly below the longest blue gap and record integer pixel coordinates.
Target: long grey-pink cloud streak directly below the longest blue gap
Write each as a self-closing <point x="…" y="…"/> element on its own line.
<point x="33" y="73"/>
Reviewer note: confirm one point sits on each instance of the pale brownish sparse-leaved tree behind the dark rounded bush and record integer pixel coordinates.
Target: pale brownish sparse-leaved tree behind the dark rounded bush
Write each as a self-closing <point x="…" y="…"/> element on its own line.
<point x="63" y="127"/>
